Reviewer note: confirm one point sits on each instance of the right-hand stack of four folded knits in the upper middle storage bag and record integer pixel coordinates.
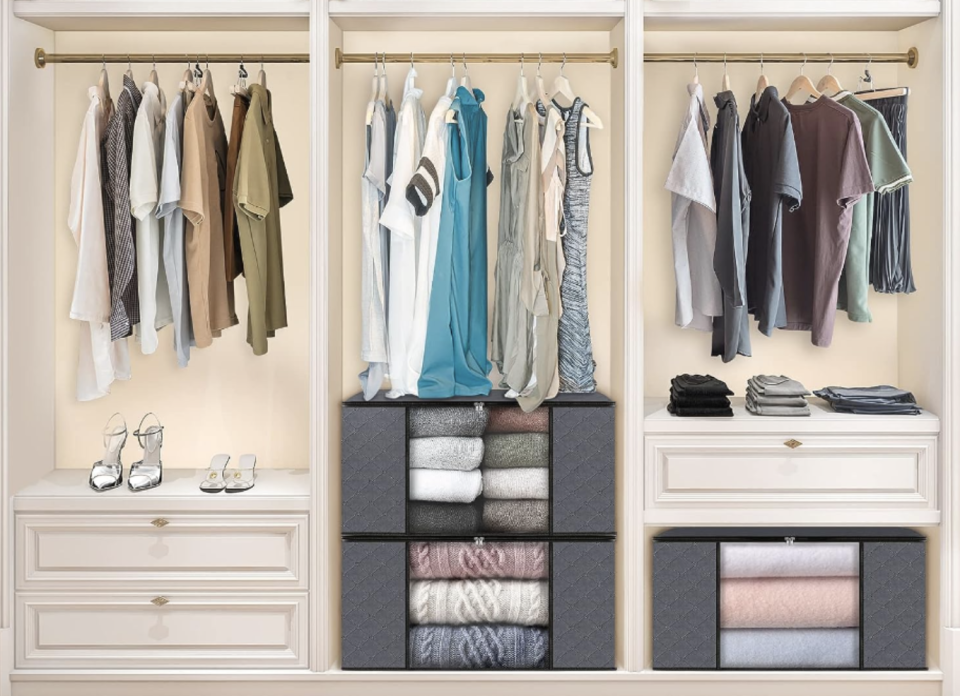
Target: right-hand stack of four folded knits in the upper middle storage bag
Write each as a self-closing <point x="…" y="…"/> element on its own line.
<point x="516" y="473"/>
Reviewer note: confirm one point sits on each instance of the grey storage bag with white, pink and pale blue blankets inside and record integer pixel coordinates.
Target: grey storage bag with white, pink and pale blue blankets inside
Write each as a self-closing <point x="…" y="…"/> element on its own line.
<point x="789" y="598"/>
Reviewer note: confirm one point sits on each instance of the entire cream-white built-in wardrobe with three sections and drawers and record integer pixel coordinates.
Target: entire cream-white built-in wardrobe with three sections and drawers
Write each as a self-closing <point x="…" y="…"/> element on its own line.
<point x="173" y="591"/>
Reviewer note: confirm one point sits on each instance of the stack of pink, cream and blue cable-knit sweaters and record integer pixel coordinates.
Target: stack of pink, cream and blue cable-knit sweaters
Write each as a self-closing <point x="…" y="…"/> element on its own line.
<point x="478" y="607"/>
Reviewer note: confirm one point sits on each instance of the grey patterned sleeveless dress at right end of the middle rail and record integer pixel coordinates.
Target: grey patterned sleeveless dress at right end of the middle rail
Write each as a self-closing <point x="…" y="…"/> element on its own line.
<point x="577" y="365"/>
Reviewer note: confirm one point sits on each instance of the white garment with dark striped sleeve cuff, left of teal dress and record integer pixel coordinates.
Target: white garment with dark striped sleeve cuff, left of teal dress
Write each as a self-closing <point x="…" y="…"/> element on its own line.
<point x="424" y="193"/>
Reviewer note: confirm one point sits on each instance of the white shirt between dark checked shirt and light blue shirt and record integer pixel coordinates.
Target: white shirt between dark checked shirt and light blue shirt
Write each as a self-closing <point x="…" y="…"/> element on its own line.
<point x="155" y="311"/>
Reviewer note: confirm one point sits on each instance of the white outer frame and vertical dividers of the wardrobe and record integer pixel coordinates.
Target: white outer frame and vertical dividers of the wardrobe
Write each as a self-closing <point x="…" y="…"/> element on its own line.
<point x="324" y="406"/>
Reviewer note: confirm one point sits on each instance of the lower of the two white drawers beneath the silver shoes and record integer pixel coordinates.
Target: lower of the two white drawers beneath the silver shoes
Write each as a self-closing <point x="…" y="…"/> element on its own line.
<point x="143" y="631"/>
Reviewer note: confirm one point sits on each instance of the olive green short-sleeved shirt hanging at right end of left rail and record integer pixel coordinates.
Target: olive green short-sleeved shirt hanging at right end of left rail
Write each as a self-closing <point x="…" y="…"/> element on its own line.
<point x="261" y="188"/>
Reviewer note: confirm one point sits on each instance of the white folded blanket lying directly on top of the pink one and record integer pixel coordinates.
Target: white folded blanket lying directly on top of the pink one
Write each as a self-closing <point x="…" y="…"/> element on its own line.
<point x="800" y="559"/>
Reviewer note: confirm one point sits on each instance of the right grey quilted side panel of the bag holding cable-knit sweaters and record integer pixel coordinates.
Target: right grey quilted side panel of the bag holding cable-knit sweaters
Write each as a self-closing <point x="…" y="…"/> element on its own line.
<point x="583" y="605"/>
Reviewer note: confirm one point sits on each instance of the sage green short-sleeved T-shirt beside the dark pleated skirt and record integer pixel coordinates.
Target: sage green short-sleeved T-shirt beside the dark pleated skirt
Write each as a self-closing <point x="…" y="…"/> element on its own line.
<point x="889" y="172"/>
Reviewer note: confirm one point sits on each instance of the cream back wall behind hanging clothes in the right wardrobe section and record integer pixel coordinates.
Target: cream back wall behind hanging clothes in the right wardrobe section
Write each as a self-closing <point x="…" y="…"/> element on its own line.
<point x="861" y="353"/>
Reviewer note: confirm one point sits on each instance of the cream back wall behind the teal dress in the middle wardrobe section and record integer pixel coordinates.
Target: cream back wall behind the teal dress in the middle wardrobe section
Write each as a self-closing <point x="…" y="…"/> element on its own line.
<point x="498" y="83"/>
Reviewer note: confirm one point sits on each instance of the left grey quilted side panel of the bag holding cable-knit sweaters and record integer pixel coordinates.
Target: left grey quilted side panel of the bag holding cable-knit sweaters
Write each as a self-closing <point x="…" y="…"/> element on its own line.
<point x="373" y="605"/>
